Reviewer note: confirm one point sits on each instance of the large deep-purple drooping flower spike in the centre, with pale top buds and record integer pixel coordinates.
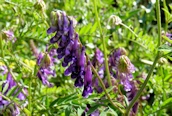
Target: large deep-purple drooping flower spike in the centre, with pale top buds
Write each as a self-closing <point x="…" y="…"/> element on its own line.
<point x="71" y="51"/>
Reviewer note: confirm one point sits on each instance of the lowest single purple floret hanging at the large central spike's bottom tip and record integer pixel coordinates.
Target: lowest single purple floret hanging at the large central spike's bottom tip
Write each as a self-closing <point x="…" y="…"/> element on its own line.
<point x="87" y="81"/>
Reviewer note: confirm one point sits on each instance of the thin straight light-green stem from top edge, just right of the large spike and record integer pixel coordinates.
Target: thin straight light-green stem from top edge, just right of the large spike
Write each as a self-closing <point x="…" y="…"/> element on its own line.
<point x="104" y="44"/>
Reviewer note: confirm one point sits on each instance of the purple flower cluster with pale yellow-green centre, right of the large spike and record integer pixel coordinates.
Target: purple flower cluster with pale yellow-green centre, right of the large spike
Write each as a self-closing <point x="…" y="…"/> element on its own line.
<point x="122" y="68"/>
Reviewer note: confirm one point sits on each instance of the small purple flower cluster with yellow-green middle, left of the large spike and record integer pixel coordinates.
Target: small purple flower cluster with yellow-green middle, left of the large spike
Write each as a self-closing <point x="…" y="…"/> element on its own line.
<point x="45" y="63"/>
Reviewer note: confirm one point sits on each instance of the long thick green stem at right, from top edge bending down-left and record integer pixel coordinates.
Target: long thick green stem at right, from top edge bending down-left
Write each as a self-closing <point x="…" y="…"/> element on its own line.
<point x="154" y="63"/>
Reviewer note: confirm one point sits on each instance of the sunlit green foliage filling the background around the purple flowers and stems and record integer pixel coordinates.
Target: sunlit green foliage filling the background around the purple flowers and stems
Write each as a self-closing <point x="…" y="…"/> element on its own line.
<point x="30" y="19"/>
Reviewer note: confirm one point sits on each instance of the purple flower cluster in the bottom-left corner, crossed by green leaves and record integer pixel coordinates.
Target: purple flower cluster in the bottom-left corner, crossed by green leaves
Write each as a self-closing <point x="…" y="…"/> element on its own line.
<point x="6" y="87"/>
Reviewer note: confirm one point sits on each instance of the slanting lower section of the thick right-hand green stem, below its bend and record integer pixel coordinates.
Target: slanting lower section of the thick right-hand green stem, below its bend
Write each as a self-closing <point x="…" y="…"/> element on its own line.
<point x="143" y="86"/>
